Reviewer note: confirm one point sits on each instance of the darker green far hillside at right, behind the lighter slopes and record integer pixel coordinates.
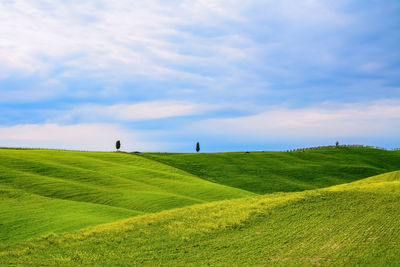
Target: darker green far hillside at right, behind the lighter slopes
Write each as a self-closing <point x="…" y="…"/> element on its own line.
<point x="267" y="172"/>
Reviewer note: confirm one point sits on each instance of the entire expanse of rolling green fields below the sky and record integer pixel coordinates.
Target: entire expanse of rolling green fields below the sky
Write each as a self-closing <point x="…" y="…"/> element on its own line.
<point x="91" y="208"/>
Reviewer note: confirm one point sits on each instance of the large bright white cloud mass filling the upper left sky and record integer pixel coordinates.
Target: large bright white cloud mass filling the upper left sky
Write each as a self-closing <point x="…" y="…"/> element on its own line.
<point x="139" y="37"/>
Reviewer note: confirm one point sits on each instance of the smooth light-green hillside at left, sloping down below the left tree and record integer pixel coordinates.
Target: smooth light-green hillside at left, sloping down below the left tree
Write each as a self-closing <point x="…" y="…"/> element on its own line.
<point x="46" y="191"/>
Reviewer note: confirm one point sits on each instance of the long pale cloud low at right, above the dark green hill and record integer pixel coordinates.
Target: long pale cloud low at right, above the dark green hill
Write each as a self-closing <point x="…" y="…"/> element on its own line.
<point x="379" y="119"/>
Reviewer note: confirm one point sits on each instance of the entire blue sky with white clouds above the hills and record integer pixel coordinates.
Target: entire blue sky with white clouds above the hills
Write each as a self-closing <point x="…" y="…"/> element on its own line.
<point x="233" y="75"/>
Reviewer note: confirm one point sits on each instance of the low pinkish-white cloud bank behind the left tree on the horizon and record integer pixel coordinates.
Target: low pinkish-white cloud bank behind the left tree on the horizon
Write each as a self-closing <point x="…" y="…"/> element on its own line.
<point x="98" y="137"/>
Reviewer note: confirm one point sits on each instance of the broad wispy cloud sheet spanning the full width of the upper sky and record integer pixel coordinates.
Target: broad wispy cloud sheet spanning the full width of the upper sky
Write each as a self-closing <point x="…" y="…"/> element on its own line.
<point x="225" y="47"/>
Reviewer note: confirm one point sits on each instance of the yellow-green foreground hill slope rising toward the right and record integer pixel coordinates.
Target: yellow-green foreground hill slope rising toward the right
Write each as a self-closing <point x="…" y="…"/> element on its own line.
<point x="351" y="224"/>
